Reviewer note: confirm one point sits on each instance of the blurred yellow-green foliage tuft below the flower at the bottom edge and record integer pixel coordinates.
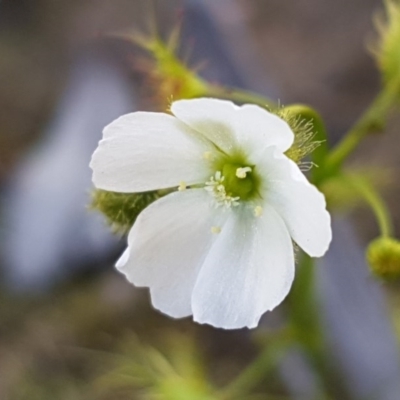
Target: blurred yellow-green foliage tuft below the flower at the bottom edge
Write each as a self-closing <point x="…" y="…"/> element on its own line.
<point x="143" y="372"/>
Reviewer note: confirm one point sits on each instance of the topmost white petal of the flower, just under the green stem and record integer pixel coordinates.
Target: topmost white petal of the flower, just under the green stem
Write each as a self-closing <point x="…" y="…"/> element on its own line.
<point x="231" y="127"/>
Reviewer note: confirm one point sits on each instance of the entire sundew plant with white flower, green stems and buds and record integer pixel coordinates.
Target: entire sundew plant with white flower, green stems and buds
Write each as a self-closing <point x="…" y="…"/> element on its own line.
<point x="226" y="199"/>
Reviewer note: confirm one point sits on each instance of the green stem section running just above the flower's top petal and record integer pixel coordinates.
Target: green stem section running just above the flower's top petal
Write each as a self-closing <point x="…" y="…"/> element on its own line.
<point x="239" y="95"/>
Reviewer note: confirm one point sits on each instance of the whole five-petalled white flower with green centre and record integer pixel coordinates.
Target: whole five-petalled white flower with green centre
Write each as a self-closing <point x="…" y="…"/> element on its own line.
<point x="220" y="247"/>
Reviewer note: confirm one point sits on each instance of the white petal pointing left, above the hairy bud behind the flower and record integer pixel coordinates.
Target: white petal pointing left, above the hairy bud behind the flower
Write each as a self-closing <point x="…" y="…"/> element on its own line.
<point x="146" y="151"/>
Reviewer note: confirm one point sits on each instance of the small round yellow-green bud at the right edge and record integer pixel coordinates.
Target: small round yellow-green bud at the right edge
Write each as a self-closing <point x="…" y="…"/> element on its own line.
<point x="383" y="256"/>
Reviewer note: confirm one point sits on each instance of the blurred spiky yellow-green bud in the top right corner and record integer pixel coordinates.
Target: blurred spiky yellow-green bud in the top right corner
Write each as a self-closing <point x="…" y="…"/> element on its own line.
<point x="387" y="49"/>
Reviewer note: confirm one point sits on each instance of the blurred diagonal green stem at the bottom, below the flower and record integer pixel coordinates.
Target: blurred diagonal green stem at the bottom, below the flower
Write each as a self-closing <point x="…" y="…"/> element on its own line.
<point x="251" y="376"/>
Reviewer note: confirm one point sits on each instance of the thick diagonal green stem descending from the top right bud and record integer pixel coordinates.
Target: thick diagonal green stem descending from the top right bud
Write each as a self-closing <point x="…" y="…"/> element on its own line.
<point x="372" y="120"/>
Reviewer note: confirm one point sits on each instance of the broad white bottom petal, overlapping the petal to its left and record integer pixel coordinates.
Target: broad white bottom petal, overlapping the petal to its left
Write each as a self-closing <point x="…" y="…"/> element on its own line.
<point x="247" y="272"/>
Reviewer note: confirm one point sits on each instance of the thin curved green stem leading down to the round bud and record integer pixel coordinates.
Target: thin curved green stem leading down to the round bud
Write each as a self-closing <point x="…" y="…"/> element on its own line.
<point x="375" y="201"/>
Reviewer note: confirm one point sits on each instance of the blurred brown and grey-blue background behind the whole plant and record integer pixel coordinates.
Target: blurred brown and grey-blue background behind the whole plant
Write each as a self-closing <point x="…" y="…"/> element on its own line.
<point x="66" y="316"/>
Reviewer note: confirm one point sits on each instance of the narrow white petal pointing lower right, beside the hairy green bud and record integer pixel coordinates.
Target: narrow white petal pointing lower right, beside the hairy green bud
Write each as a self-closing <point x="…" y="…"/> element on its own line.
<point x="301" y="205"/>
